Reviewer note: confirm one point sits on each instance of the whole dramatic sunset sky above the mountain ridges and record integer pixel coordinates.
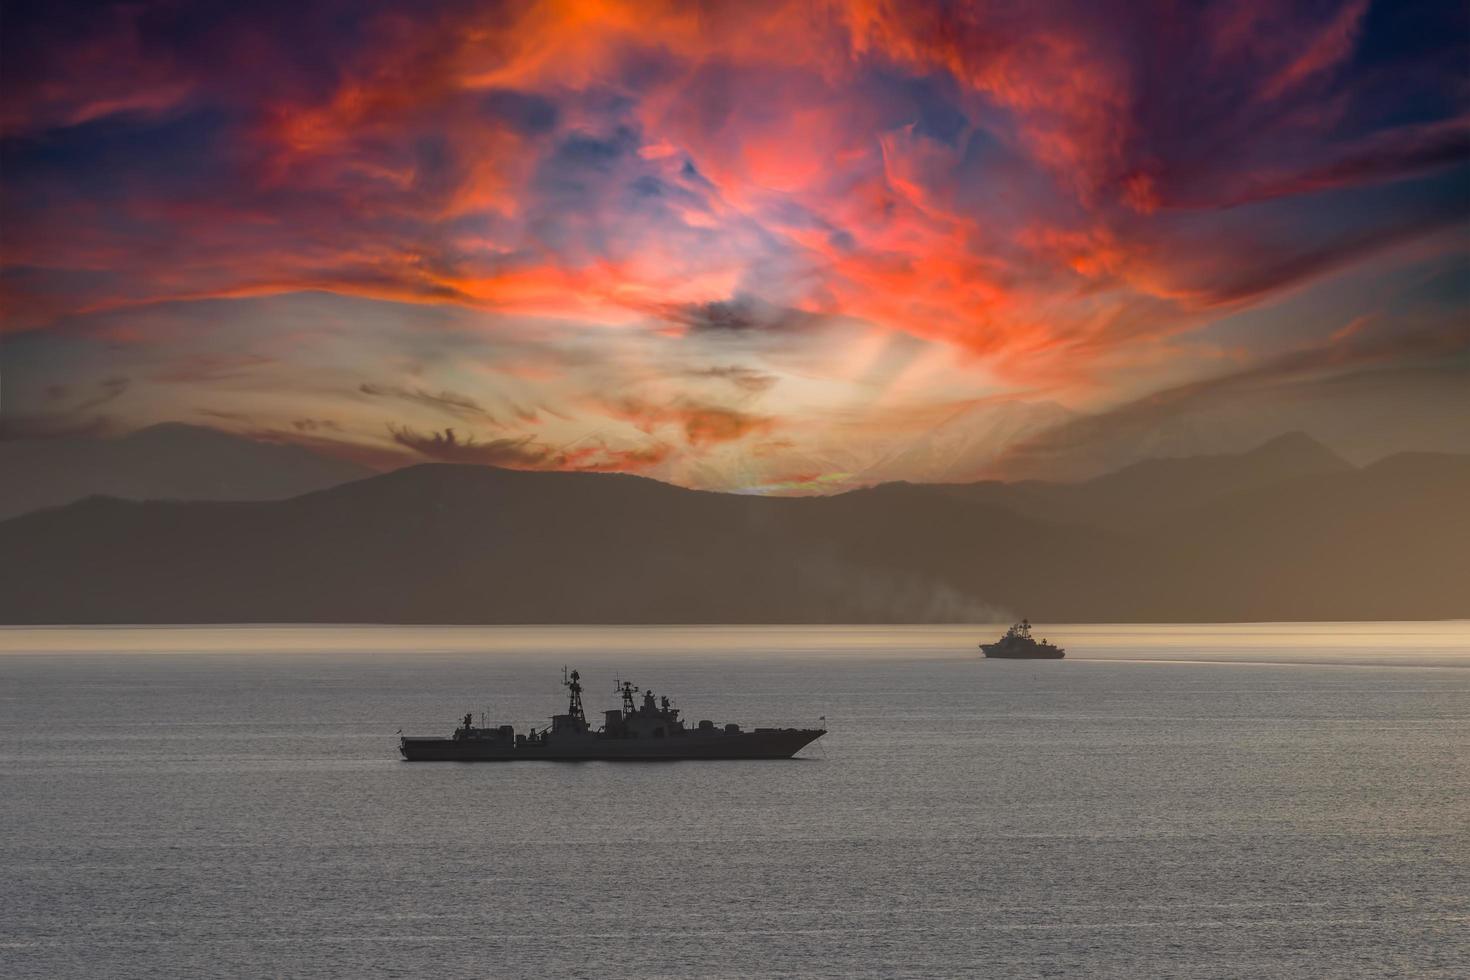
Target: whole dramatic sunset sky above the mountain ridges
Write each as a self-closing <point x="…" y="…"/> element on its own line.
<point x="755" y="246"/>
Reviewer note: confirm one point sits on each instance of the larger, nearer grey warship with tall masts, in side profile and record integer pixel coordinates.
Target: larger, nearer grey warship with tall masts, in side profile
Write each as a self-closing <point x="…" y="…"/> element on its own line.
<point x="648" y="732"/>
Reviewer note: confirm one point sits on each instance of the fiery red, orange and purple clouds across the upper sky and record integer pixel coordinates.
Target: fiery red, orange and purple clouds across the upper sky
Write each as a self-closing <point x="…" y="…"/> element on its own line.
<point x="1052" y="190"/>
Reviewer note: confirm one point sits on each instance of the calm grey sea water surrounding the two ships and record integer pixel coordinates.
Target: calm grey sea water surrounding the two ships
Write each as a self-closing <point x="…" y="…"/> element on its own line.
<point x="1168" y="801"/>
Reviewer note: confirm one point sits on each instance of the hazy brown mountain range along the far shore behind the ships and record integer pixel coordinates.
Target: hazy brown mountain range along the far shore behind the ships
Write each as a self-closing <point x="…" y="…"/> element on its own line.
<point x="1286" y="533"/>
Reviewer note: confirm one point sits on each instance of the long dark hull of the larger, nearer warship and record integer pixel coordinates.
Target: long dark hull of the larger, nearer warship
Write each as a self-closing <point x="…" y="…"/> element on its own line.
<point x="746" y="746"/>
